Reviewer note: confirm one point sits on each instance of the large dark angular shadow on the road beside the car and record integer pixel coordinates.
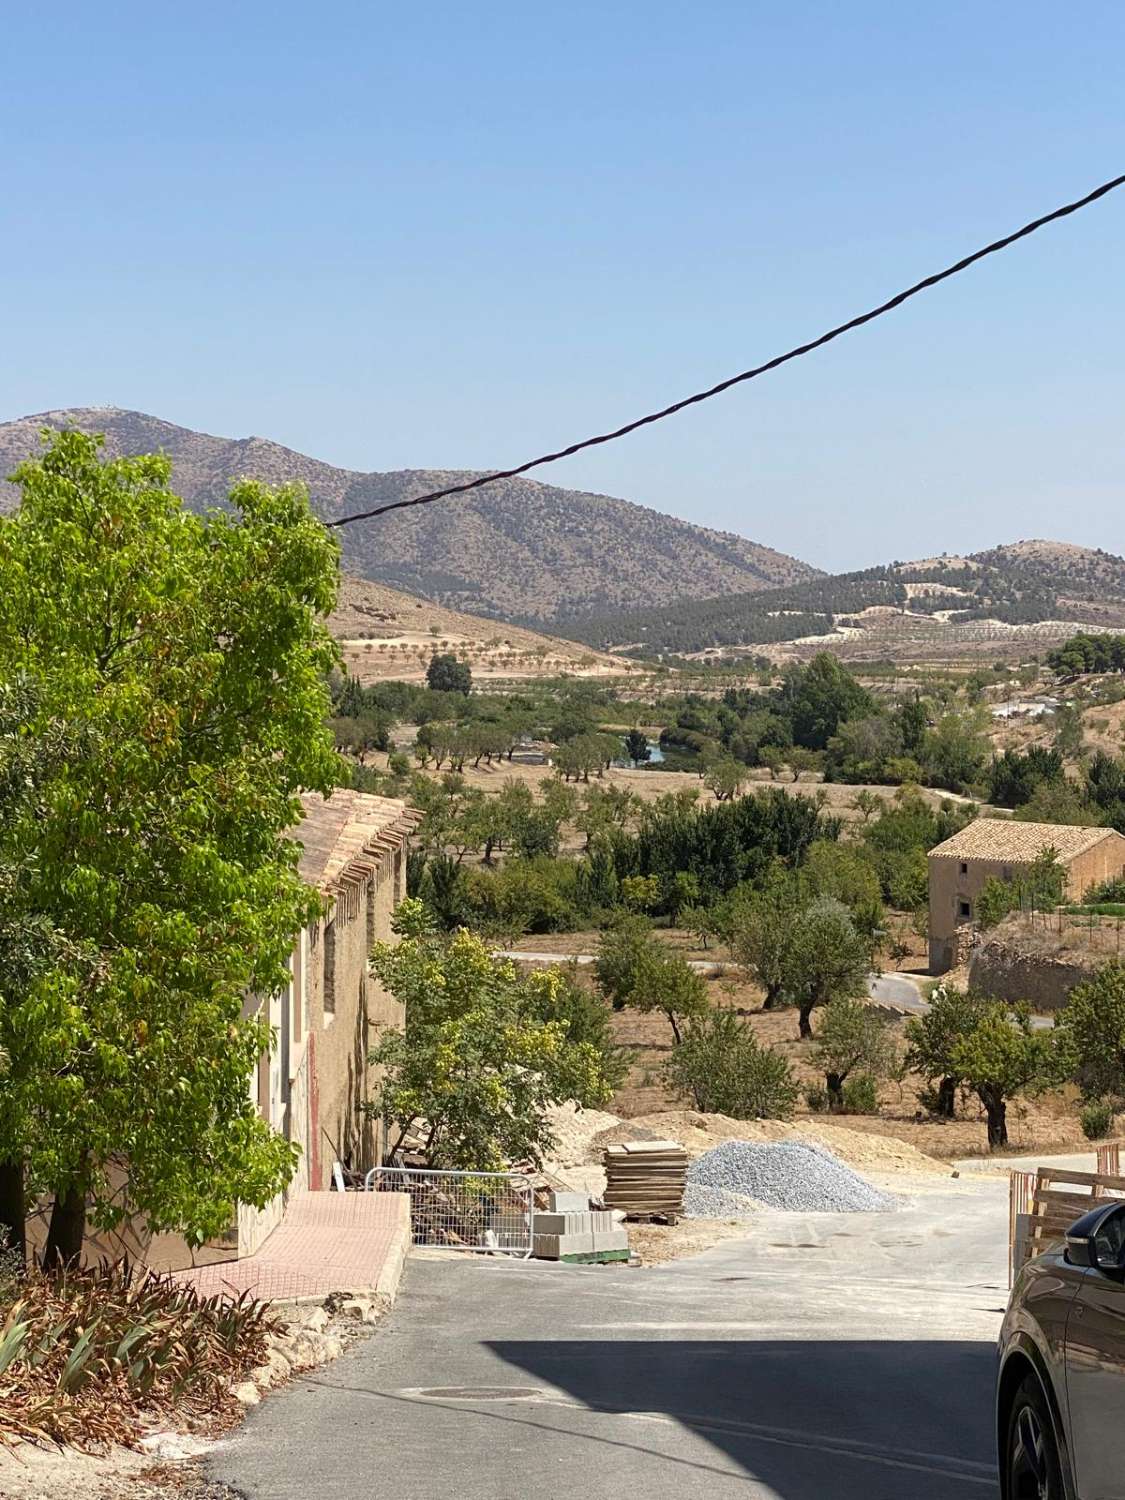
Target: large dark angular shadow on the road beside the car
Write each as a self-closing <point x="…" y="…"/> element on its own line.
<point x="811" y="1420"/>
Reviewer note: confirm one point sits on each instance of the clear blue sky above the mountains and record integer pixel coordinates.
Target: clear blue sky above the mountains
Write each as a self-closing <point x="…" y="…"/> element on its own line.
<point x="454" y="236"/>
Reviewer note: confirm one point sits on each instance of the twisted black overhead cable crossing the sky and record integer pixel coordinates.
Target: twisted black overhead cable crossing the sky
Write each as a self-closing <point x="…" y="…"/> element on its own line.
<point x="752" y="374"/>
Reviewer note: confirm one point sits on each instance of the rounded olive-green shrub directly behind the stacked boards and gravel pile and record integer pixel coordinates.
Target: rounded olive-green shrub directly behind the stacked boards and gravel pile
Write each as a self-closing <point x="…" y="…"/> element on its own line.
<point x="722" y="1067"/>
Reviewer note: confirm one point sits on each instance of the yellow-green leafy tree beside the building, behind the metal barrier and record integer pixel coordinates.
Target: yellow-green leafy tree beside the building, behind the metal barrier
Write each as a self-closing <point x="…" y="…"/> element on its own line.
<point x="487" y="1051"/>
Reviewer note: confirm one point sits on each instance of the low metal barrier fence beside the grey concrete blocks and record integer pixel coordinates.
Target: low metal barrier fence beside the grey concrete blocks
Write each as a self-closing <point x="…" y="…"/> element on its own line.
<point x="488" y="1213"/>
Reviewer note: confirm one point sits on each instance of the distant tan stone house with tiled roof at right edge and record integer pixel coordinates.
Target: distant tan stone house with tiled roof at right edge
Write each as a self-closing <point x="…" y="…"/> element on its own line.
<point x="1003" y="848"/>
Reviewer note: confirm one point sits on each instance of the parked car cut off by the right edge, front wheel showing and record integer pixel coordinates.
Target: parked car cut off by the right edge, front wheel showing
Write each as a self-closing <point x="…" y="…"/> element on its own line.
<point x="1061" y="1390"/>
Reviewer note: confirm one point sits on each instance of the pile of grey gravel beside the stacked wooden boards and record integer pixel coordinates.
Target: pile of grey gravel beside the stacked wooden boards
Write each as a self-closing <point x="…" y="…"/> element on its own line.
<point x="784" y="1175"/>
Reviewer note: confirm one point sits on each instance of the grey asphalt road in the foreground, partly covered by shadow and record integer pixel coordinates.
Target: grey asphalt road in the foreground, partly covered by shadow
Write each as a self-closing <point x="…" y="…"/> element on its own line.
<point x="845" y="1357"/>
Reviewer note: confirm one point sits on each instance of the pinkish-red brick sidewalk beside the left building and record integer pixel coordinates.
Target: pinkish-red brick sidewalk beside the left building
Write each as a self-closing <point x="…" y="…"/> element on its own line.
<point x="326" y="1243"/>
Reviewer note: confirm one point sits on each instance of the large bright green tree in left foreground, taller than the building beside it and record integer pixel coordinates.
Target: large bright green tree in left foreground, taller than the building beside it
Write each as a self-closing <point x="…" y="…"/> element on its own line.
<point x="190" y="655"/>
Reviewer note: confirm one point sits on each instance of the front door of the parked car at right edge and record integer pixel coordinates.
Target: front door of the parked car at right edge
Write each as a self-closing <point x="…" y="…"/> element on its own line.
<point x="1096" y="1369"/>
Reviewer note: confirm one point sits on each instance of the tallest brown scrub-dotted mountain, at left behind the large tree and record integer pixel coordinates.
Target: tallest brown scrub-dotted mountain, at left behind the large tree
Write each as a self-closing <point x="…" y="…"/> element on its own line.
<point x="517" y="550"/>
